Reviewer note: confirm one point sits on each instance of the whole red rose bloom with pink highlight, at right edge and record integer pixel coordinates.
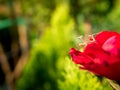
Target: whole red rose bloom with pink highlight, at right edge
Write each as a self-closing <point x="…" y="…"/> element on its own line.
<point x="101" y="56"/>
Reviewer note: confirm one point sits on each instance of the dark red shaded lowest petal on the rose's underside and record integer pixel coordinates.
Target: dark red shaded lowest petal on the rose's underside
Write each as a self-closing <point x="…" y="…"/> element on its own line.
<point x="111" y="72"/>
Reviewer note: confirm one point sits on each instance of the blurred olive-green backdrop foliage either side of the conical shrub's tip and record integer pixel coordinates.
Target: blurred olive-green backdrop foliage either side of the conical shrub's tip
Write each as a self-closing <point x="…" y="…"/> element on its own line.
<point x="101" y="14"/>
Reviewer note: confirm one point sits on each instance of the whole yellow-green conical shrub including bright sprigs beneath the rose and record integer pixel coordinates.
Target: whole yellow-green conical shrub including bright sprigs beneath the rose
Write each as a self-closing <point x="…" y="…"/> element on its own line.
<point x="50" y="67"/>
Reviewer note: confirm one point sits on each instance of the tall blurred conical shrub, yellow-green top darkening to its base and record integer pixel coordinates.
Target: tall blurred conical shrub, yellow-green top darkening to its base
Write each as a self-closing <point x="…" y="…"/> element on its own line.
<point x="54" y="43"/>
